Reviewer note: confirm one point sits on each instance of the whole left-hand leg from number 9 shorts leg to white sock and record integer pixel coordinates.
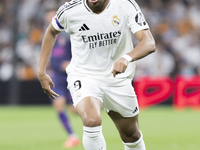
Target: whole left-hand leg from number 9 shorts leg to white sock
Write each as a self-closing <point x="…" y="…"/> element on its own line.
<point x="87" y="99"/>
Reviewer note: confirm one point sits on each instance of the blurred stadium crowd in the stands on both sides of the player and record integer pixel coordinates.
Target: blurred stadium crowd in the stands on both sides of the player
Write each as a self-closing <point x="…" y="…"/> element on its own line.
<point x="175" y="26"/>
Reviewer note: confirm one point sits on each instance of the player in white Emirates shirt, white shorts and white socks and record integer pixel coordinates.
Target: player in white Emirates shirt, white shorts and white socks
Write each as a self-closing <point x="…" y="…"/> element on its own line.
<point x="102" y="66"/>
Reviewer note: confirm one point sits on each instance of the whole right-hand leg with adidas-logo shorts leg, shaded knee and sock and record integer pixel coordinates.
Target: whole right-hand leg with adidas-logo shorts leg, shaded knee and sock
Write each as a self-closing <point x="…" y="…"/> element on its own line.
<point x="122" y="107"/>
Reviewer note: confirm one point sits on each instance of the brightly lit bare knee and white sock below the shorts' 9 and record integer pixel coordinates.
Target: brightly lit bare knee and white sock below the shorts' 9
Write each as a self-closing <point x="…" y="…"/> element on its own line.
<point x="89" y="110"/>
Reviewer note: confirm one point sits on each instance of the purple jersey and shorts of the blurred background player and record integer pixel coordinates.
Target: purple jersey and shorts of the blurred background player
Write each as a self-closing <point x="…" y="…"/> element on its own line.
<point x="61" y="52"/>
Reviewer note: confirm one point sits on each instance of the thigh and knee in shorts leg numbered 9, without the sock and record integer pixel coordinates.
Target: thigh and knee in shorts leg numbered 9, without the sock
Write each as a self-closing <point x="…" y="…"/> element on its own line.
<point x="87" y="99"/>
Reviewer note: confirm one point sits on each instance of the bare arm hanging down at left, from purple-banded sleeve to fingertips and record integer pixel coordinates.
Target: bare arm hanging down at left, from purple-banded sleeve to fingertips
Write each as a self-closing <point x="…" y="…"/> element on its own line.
<point x="47" y="45"/>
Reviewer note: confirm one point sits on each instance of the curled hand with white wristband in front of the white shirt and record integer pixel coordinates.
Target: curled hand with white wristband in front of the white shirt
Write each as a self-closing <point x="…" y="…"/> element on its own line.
<point x="119" y="66"/>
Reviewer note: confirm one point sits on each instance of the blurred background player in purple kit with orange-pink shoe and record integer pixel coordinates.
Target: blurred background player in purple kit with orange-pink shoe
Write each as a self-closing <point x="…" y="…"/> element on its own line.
<point x="59" y="60"/>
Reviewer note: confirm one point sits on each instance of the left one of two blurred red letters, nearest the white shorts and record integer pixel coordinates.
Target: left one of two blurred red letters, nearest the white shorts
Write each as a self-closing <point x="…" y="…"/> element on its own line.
<point x="151" y="91"/>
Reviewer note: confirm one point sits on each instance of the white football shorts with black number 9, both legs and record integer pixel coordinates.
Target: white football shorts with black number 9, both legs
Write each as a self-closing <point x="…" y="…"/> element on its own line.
<point x="117" y="94"/>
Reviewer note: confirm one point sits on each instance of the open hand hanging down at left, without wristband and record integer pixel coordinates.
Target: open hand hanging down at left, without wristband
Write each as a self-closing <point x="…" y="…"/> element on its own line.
<point x="46" y="83"/>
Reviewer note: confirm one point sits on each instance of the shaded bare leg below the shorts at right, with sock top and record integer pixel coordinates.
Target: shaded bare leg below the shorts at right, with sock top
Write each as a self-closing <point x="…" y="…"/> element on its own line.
<point x="129" y="131"/>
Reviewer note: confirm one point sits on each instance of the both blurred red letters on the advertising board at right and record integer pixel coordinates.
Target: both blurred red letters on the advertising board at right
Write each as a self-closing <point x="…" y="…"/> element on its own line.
<point x="184" y="91"/>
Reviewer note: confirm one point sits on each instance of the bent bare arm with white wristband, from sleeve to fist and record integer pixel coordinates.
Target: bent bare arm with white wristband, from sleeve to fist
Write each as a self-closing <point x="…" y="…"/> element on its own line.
<point x="145" y="47"/>
